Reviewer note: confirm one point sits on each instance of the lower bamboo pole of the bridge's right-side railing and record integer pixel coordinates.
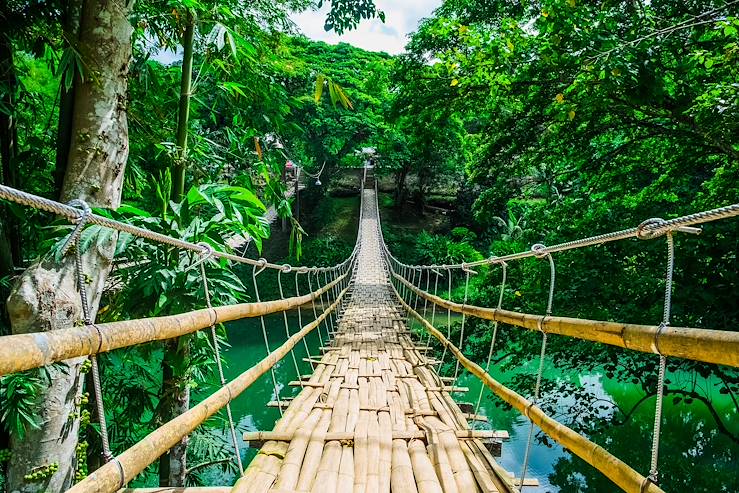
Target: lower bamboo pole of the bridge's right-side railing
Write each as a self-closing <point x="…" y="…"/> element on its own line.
<point x="611" y="466"/>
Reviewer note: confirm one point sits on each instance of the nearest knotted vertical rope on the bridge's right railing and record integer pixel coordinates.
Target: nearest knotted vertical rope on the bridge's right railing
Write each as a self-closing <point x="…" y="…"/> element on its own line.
<point x="653" y="476"/>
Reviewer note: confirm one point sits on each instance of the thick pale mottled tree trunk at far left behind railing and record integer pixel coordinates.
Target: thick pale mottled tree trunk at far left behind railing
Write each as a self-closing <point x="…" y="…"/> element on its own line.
<point x="46" y="296"/>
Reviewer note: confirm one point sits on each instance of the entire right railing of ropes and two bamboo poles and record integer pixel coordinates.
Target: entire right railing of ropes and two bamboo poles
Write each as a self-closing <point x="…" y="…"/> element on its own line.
<point x="705" y="345"/>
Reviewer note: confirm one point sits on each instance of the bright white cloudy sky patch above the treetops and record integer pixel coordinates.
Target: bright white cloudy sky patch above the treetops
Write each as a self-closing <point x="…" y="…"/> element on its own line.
<point x="401" y="18"/>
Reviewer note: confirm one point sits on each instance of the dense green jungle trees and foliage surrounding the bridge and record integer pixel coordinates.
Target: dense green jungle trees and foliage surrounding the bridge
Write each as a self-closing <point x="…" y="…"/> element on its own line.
<point x="504" y="124"/>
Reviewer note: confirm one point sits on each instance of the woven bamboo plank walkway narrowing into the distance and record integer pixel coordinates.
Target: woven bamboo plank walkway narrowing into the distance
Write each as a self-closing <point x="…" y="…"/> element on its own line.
<point x="374" y="416"/>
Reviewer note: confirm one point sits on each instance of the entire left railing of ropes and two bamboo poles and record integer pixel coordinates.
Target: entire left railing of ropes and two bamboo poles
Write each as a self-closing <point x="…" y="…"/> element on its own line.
<point x="20" y="352"/>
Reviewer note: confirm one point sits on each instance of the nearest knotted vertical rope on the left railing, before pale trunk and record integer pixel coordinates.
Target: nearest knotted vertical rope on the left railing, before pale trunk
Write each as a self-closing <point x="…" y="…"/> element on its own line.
<point x="73" y="240"/>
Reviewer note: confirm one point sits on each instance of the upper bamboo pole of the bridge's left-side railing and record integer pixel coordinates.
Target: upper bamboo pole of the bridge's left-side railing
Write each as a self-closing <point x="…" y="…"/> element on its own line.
<point x="20" y="352"/>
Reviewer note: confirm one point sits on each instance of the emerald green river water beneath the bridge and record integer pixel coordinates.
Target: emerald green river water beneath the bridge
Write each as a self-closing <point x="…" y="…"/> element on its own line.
<point x="694" y="455"/>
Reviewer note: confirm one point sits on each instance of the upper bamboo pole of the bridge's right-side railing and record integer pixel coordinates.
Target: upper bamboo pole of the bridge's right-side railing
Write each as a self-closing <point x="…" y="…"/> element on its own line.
<point x="706" y="345"/>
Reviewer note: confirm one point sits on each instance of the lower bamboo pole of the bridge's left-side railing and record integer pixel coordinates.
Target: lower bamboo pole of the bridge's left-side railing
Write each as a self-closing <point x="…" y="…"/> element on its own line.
<point x="111" y="476"/>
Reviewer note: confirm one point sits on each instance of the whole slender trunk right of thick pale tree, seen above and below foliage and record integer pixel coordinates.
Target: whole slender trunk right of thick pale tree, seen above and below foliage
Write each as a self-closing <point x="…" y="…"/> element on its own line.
<point x="175" y="379"/>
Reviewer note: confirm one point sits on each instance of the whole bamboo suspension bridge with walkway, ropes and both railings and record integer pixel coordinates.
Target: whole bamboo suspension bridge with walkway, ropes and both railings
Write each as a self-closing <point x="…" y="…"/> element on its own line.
<point x="374" y="416"/>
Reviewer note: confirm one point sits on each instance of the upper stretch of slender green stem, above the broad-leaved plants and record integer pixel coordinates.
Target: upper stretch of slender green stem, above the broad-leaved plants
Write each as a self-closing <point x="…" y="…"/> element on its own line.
<point x="183" y="117"/>
